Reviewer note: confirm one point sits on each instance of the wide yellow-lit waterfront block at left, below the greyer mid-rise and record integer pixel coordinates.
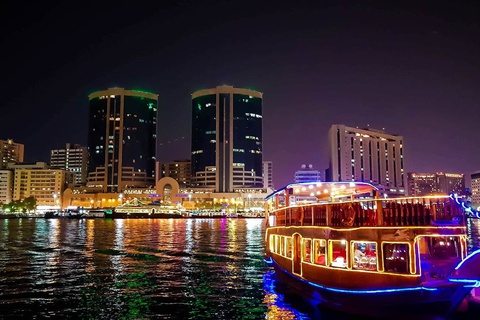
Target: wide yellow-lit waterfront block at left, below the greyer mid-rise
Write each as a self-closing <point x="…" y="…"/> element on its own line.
<point x="39" y="181"/>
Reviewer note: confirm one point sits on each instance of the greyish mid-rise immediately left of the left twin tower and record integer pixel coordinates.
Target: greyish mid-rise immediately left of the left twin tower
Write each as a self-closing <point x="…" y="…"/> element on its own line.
<point x="74" y="158"/>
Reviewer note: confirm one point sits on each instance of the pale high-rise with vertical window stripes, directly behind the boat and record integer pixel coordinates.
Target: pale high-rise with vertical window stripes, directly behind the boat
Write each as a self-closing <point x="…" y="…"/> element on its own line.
<point x="367" y="155"/>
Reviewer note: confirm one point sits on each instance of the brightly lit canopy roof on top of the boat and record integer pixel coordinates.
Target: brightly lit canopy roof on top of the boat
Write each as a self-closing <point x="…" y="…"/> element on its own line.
<point x="326" y="190"/>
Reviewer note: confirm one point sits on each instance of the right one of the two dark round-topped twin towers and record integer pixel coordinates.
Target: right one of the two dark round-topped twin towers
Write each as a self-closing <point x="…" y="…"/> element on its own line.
<point x="227" y="139"/>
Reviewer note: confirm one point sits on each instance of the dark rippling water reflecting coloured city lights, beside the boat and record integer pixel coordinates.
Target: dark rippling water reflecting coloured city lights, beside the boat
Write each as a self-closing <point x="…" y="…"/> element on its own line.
<point x="141" y="269"/>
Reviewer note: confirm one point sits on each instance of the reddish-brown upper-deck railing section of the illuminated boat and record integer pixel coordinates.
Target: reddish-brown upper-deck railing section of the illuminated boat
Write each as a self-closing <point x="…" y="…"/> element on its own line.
<point x="415" y="211"/>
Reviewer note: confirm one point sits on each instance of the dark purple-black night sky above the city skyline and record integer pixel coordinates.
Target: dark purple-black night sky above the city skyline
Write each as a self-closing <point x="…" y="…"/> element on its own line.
<point x="411" y="69"/>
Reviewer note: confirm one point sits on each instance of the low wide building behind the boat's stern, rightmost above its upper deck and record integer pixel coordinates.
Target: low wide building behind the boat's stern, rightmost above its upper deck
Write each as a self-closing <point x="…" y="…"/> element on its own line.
<point x="421" y="184"/>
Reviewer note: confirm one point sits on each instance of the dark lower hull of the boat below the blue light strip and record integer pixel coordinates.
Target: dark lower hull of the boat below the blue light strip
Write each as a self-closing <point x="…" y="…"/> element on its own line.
<point x="397" y="303"/>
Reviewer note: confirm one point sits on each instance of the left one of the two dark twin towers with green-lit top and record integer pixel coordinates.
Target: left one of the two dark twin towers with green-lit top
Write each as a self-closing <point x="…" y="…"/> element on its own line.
<point x="122" y="139"/>
